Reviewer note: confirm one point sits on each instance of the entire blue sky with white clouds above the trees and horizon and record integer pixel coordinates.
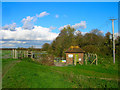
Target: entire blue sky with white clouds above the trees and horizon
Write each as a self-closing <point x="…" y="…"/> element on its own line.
<point x="34" y="23"/>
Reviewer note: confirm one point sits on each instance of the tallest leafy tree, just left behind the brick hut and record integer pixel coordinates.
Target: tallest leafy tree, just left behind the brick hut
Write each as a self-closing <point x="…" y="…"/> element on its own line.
<point x="64" y="40"/>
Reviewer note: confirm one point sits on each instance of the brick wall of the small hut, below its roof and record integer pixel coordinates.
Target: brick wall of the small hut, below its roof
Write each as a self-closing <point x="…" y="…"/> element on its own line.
<point x="70" y="60"/>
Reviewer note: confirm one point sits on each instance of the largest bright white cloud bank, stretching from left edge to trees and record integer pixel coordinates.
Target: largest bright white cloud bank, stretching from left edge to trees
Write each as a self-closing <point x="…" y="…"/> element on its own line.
<point x="37" y="33"/>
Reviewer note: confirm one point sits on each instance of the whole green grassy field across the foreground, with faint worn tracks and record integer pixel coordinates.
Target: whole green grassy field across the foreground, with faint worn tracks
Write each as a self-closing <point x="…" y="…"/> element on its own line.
<point x="24" y="74"/>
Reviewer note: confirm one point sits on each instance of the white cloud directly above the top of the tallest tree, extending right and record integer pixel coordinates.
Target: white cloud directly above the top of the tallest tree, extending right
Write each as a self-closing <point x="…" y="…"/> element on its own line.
<point x="81" y="25"/>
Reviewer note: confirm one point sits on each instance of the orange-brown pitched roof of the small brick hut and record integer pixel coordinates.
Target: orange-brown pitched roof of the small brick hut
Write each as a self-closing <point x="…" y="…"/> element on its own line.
<point x="75" y="49"/>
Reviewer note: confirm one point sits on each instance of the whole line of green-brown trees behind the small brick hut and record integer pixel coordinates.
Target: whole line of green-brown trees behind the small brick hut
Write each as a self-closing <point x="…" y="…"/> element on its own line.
<point x="92" y="42"/>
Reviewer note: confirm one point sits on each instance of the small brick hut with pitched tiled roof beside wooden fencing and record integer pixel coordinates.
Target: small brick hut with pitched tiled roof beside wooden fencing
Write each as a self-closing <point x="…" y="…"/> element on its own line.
<point x="74" y="54"/>
